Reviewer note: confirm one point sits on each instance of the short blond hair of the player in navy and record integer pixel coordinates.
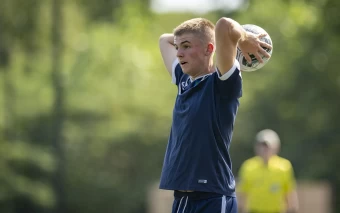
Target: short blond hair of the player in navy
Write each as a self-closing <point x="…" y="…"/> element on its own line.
<point x="201" y="27"/>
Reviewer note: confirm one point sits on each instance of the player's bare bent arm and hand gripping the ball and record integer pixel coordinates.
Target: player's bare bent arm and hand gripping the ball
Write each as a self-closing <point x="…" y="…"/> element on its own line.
<point x="229" y="34"/>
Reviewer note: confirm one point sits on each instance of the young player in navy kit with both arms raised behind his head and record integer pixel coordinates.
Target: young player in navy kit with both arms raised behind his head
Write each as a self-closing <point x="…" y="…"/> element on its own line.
<point x="197" y="164"/>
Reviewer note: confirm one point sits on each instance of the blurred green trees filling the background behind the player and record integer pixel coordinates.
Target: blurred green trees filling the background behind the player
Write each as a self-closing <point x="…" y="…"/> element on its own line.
<point x="103" y="145"/>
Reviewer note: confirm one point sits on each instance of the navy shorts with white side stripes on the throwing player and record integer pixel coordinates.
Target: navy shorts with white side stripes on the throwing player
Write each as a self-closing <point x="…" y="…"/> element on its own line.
<point x="203" y="202"/>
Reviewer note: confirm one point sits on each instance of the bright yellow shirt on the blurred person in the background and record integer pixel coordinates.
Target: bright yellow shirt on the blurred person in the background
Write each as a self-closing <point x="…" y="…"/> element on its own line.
<point x="266" y="186"/>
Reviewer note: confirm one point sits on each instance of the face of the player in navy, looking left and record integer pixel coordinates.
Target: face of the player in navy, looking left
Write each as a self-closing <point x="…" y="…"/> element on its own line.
<point x="191" y="53"/>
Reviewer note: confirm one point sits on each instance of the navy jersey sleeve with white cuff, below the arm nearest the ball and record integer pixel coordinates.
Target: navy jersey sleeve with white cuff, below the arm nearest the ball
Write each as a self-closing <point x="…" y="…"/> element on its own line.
<point x="230" y="83"/>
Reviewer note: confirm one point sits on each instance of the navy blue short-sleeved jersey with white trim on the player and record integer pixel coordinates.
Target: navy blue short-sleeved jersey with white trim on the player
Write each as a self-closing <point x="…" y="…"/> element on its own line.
<point x="197" y="156"/>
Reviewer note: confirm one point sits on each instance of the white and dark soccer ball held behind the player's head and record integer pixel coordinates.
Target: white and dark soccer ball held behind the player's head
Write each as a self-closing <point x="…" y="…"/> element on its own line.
<point x="255" y="64"/>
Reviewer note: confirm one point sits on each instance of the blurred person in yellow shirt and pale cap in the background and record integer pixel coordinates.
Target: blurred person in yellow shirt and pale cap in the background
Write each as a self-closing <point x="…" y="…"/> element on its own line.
<point x="267" y="183"/>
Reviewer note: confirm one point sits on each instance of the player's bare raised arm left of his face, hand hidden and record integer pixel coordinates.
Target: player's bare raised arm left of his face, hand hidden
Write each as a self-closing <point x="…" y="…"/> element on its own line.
<point x="168" y="51"/>
